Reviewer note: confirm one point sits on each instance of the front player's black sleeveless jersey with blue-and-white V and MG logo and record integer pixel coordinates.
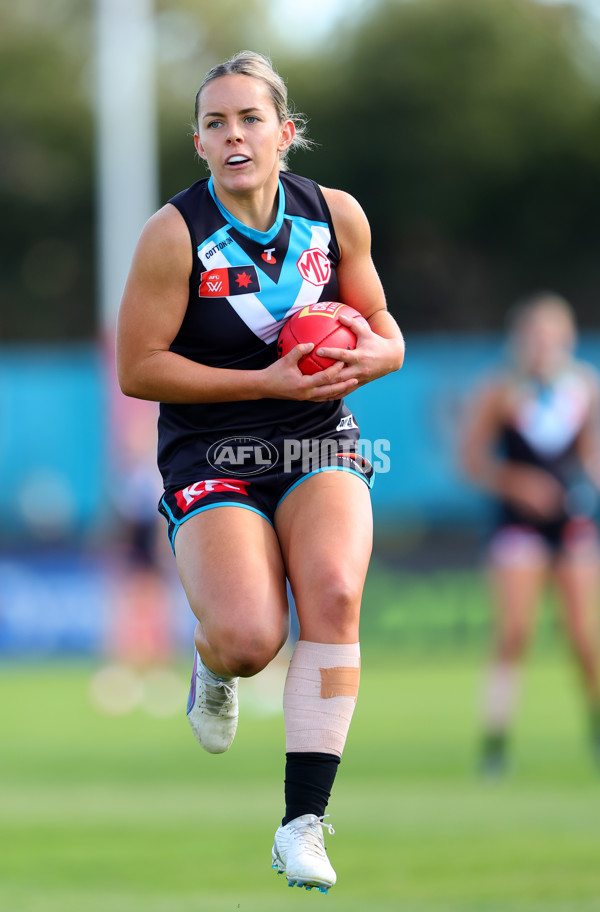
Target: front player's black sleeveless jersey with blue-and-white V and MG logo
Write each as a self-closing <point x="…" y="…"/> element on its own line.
<point x="244" y="285"/>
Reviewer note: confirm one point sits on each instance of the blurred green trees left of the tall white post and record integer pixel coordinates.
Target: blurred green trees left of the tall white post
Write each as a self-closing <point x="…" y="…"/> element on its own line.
<point x="46" y="235"/>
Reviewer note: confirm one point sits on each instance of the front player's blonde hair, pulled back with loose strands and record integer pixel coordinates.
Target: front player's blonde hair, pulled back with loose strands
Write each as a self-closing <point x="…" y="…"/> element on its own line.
<point x="249" y="63"/>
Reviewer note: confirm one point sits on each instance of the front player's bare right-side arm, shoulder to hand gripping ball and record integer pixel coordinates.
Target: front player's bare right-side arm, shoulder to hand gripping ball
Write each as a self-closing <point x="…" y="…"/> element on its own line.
<point x="381" y="351"/>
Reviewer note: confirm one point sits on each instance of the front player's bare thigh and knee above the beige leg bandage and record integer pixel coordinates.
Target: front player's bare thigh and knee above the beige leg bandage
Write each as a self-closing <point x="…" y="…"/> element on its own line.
<point x="325" y="529"/>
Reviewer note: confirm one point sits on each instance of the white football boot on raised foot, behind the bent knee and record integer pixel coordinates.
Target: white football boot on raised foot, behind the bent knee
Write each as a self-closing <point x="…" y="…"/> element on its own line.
<point x="212" y="708"/>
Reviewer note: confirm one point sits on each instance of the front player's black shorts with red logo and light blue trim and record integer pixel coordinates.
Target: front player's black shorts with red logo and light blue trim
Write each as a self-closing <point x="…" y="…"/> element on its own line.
<point x="256" y="473"/>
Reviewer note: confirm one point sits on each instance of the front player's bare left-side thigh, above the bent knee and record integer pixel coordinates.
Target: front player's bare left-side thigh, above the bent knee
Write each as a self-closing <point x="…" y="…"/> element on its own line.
<point x="230" y="565"/>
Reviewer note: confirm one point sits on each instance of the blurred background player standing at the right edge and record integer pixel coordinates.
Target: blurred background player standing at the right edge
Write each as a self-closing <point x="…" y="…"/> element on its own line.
<point x="531" y="440"/>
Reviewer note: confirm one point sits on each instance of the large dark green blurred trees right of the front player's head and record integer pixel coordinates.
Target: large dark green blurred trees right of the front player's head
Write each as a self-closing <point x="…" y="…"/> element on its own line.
<point x="470" y="134"/>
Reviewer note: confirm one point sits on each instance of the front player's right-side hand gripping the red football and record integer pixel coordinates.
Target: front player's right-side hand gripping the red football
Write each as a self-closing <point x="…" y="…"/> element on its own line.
<point x="373" y="357"/>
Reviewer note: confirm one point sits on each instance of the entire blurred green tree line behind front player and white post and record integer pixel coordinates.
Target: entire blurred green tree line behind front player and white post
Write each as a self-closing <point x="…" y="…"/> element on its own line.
<point x="469" y="131"/>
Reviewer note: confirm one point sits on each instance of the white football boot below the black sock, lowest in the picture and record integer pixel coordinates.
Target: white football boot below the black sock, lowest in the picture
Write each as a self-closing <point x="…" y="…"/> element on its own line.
<point x="299" y="853"/>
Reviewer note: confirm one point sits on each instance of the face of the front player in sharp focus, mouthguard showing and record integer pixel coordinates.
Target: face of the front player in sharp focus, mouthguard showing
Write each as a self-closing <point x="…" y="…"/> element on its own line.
<point x="239" y="133"/>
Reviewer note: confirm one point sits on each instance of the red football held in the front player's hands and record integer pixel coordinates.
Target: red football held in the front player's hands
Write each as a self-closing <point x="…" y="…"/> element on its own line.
<point x="318" y="323"/>
